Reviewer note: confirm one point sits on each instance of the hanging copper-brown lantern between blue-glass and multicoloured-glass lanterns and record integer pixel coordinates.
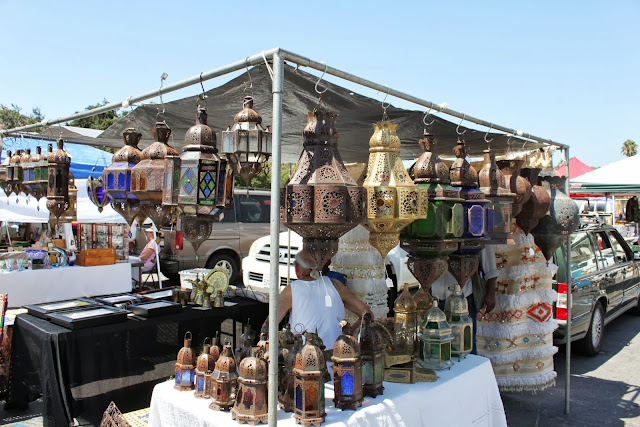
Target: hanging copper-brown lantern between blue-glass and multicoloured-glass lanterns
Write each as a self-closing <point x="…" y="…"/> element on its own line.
<point x="147" y="176"/>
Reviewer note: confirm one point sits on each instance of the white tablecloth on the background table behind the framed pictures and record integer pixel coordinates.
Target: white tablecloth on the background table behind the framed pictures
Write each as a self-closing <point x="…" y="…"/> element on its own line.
<point x="56" y="284"/>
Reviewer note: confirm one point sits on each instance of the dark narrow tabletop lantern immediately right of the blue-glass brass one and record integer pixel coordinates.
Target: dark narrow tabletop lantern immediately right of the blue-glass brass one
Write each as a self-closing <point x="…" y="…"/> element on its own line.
<point x="372" y="352"/>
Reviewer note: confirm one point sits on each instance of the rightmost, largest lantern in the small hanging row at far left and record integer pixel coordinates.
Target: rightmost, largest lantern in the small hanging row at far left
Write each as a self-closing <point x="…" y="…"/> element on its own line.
<point x="58" y="174"/>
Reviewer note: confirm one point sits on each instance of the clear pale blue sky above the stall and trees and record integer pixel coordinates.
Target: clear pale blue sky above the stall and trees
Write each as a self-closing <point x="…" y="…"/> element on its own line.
<point x="564" y="70"/>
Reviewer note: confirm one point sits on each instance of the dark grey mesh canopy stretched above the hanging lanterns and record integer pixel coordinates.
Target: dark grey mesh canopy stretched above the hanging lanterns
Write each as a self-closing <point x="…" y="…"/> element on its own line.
<point x="356" y="115"/>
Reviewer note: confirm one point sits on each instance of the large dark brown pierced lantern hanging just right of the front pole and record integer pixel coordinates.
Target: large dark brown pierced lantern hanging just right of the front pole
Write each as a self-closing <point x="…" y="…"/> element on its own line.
<point x="321" y="201"/>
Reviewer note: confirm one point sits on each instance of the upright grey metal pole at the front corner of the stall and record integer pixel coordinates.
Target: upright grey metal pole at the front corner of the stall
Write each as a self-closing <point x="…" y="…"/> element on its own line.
<point x="274" y="226"/>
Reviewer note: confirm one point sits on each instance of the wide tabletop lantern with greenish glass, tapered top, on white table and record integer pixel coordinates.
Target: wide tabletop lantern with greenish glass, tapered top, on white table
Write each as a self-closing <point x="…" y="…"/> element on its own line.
<point x="435" y="339"/>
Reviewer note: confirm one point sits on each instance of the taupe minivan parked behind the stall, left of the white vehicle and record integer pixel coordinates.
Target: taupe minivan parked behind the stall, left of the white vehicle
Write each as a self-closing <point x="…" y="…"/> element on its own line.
<point x="229" y="242"/>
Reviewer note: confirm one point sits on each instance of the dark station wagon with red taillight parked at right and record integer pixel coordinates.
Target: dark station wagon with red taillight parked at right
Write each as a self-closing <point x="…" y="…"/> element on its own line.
<point x="605" y="282"/>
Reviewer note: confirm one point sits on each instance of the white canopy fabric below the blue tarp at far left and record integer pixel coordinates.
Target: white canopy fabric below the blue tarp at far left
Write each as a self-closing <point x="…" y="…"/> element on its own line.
<point x="28" y="212"/>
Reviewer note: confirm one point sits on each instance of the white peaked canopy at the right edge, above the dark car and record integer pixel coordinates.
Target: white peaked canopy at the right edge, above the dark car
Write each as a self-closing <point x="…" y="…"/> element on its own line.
<point x="619" y="177"/>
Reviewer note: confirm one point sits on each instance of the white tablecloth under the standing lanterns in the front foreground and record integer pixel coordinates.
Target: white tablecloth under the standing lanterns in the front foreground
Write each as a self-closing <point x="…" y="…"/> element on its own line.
<point x="466" y="395"/>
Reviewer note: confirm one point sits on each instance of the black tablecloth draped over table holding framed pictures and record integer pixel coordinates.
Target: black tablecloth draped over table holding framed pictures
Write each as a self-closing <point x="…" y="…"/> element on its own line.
<point x="79" y="372"/>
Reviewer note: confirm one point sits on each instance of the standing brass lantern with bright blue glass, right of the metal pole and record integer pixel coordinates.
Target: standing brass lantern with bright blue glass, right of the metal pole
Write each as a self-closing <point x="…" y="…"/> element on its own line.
<point x="347" y="371"/>
